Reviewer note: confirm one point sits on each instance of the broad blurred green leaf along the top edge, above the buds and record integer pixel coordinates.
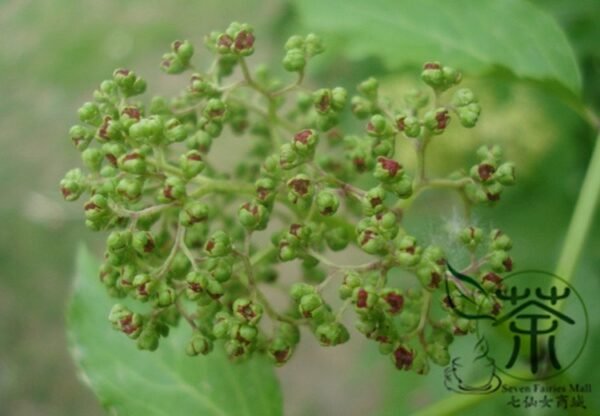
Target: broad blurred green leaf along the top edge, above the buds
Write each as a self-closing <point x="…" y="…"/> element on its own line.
<point x="474" y="35"/>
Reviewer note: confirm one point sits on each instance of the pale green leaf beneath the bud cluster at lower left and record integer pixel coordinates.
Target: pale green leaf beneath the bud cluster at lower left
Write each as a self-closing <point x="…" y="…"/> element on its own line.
<point x="164" y="382"/>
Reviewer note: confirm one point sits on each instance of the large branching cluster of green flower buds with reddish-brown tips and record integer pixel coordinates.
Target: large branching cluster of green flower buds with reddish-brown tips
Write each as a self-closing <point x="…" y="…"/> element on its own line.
<point x="184" y="227"/>
